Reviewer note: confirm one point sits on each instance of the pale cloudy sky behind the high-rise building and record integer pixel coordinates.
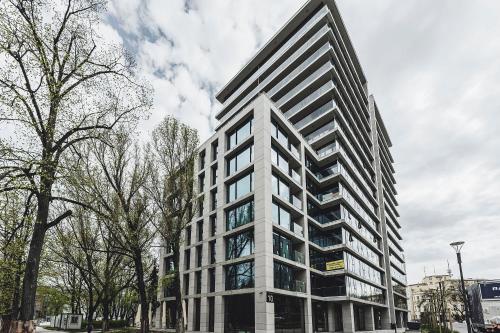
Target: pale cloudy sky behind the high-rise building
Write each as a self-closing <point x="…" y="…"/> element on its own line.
<point x="433" y="66"/>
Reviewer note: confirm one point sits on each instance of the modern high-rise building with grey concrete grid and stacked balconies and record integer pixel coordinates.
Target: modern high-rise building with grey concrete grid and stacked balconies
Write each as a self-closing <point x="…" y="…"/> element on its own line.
<point x="297" y="228"/>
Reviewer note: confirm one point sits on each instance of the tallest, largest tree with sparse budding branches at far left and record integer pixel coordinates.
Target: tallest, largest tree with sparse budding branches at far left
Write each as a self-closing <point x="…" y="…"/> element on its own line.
<point x="60" y="84"/>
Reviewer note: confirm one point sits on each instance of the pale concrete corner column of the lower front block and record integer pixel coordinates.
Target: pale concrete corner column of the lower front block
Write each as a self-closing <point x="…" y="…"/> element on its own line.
<point x="264" y="269"/>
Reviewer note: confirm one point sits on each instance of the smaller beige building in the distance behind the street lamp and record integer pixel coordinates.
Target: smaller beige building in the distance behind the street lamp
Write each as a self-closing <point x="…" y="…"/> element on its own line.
<point x="418" y="295"/>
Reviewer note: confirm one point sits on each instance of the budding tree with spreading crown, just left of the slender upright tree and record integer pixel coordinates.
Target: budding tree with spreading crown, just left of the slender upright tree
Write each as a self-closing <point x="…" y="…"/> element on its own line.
<point x="111" y="182"/>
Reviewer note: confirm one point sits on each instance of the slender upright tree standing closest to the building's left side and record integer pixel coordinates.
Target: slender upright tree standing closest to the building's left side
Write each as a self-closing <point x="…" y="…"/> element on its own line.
<point x="172" y="188"/>
